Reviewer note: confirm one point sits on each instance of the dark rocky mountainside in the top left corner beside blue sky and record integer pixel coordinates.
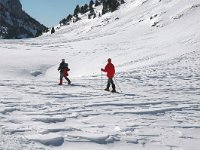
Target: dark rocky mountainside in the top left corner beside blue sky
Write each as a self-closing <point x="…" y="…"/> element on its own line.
<point x="15" y="23"/>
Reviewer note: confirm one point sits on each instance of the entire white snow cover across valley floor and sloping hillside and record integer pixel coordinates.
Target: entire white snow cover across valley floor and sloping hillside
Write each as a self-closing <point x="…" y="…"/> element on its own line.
<point x="155" y="46"/>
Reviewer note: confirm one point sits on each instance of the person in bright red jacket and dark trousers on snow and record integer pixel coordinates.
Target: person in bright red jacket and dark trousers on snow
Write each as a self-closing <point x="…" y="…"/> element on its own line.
<point x="110" y="69"/>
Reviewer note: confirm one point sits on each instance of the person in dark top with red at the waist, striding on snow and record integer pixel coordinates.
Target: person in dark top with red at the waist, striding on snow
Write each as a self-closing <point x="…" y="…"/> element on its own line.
<point x="63" y="68"/>
